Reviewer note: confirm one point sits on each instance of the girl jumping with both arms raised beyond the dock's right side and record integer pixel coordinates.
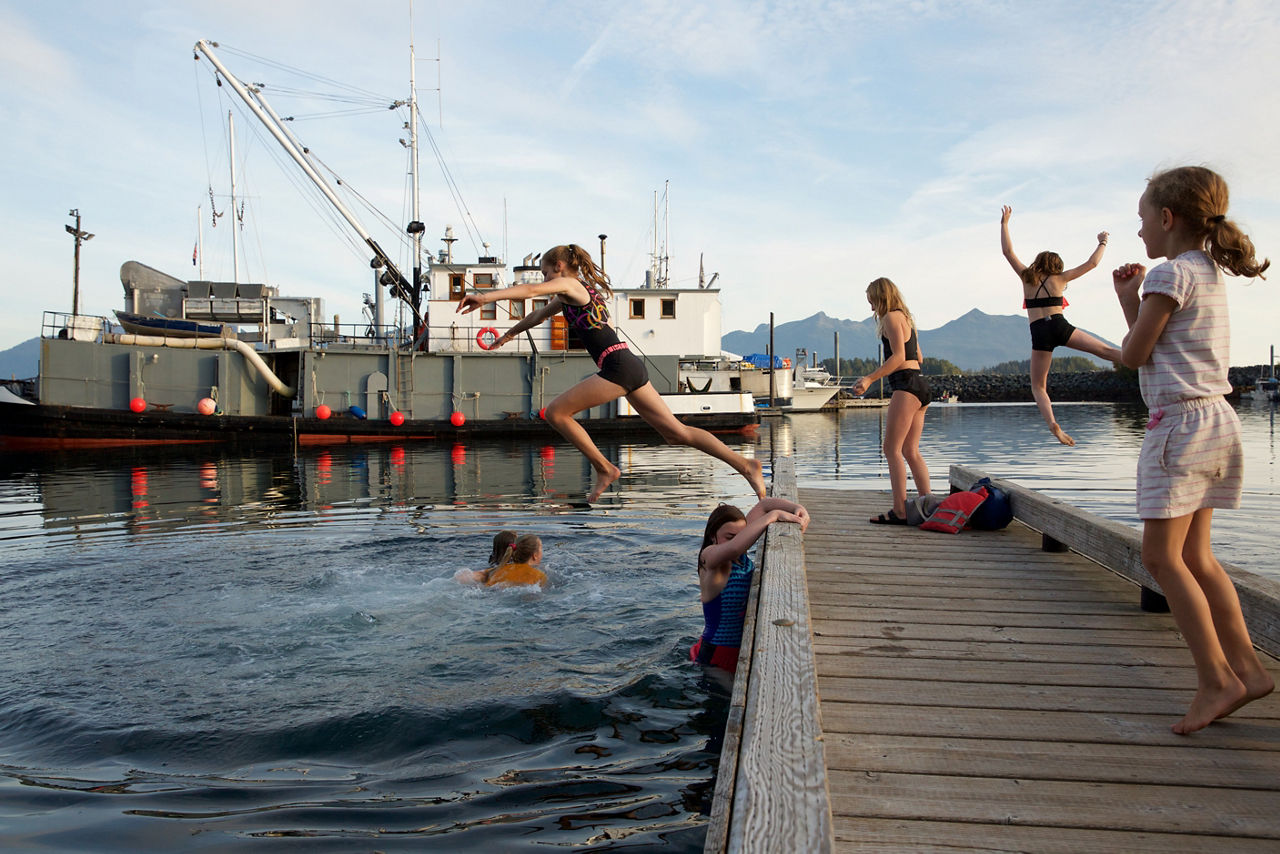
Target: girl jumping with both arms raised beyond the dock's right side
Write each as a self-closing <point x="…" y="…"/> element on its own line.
<point x="1044" y="284"/>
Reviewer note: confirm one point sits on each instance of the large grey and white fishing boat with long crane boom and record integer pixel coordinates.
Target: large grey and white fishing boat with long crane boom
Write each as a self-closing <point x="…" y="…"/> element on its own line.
<point x="239" y="363"/>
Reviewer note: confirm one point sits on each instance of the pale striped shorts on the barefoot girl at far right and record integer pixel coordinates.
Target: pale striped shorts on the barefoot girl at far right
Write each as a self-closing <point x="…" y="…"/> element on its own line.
<point x="1191" y="460"/>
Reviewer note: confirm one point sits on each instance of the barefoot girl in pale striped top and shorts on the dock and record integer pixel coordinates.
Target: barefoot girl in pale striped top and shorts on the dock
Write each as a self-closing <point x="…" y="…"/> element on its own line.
<point x="1191" y="460"/>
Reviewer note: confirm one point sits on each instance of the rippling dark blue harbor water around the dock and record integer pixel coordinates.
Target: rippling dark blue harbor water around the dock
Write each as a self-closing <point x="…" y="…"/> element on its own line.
<point x="212" y="654"/>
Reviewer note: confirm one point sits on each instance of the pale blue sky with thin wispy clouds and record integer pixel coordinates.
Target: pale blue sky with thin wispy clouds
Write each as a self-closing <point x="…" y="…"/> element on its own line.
<point x="801" y="148"/>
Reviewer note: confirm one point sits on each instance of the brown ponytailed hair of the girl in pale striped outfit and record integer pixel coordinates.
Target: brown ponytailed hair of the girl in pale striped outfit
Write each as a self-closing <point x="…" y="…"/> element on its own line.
<point x="1200" y="198"/>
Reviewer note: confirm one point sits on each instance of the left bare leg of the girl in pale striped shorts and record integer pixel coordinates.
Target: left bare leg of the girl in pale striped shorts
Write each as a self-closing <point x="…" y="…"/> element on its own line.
<point x="1219" y="689"/>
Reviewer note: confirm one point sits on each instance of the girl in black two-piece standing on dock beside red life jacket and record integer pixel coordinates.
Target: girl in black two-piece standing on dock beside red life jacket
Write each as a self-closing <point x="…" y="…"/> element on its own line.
<point x="912" y="396"/>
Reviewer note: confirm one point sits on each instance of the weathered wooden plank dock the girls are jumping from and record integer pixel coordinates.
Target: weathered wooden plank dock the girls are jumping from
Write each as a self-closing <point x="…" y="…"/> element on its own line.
<point x="979" y="693"/>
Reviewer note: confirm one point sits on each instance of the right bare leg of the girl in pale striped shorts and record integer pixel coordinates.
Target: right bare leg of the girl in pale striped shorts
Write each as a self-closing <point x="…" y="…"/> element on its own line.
<point x="1233" y="636"/>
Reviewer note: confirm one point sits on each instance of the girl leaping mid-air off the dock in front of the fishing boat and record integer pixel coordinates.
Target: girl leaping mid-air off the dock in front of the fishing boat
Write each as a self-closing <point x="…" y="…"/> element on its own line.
<point x="580" y="290"/>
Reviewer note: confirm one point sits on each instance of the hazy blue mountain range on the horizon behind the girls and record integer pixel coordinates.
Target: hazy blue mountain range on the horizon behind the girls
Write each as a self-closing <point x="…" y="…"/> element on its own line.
<point x="971" y="342"/>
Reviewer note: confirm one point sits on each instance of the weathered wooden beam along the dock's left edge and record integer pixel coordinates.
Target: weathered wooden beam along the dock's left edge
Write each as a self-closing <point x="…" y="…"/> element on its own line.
<point x="771" y="789"/>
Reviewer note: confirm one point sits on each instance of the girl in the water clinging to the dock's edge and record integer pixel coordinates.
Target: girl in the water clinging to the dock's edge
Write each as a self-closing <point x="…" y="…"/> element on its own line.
<point x="725" y="574"/>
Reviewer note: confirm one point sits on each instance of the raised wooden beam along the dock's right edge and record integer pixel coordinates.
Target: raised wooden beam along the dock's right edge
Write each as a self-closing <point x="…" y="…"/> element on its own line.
<point x="1119" y="549"/>
